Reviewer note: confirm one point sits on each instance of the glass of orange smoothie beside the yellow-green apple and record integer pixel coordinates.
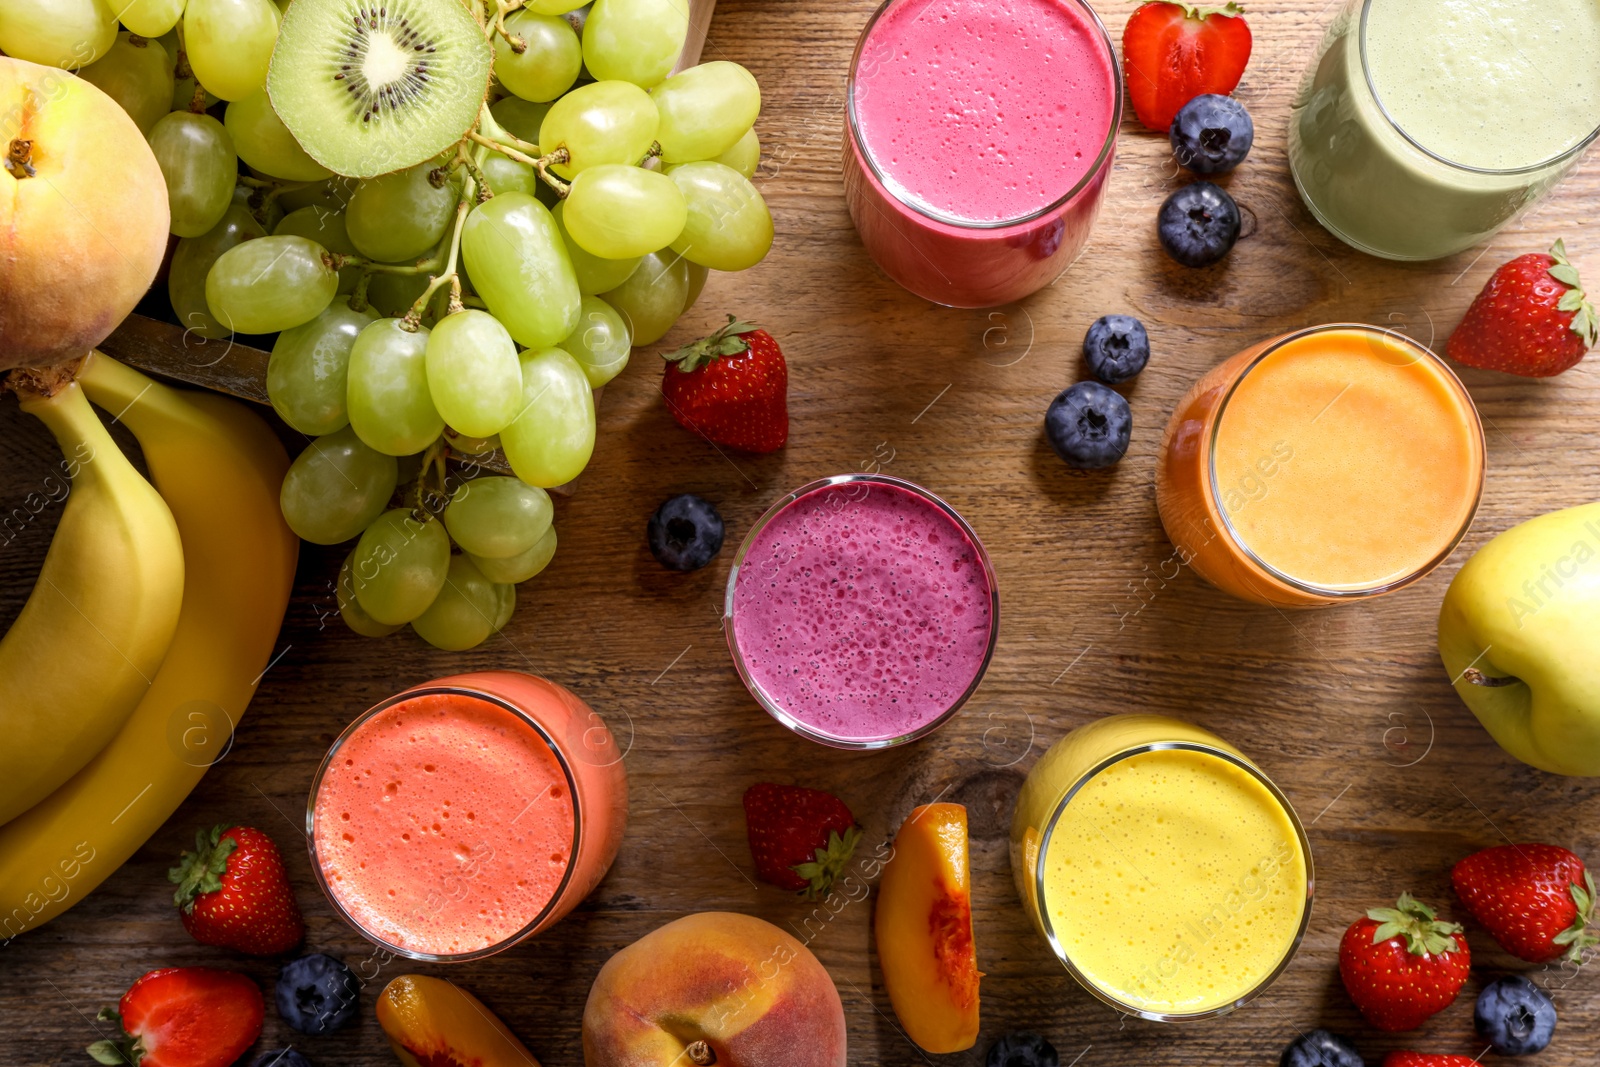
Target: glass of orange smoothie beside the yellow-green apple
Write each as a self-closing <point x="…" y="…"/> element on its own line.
<point x="1329" y="465"/>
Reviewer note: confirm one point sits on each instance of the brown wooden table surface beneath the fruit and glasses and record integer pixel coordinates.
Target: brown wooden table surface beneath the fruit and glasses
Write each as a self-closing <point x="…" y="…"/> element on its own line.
<point x="1348" y="709"/>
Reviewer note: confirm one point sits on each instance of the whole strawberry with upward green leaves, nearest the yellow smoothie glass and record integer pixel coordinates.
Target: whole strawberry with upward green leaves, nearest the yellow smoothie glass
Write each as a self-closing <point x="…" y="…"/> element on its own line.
<point x="1401" y="965"/>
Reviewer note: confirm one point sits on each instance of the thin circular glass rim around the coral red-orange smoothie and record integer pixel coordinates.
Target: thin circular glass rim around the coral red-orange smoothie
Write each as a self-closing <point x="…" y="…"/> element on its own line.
<point x="572" y="791"/>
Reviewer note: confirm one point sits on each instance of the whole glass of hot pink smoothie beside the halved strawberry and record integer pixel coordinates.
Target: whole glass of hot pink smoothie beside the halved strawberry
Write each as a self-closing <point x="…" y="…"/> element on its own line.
<point x="982" y="134"/>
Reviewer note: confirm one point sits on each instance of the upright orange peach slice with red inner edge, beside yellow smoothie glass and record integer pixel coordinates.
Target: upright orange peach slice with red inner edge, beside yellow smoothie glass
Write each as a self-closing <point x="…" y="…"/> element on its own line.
<point x="924" y="924"/>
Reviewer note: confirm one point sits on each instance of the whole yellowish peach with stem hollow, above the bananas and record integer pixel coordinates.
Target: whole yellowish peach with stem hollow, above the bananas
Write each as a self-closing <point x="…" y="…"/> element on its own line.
<point x="82" y="215"/>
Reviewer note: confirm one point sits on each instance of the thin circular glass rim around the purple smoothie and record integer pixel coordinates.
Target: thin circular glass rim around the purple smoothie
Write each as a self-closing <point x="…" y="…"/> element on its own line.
<point x="772" y="706"/>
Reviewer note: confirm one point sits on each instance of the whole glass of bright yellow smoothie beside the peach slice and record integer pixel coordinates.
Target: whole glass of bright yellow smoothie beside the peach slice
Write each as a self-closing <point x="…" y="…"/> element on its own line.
<point x="1166" y="871"/>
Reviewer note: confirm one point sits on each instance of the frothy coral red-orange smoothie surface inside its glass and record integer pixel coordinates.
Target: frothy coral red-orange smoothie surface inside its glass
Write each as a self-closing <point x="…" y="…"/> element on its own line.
<point x="444" y="825"/>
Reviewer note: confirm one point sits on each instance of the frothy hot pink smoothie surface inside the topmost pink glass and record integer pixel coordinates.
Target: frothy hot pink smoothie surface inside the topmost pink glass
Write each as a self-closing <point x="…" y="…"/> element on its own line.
<point x="985" y="110"/>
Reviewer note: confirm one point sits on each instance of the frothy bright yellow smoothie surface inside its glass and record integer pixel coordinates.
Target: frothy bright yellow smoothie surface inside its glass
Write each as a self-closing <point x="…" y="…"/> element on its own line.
<point x="1175" y="882"/>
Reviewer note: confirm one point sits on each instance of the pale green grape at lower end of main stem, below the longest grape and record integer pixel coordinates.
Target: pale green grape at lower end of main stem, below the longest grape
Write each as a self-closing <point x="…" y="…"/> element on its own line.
<point x="473" y="374"/>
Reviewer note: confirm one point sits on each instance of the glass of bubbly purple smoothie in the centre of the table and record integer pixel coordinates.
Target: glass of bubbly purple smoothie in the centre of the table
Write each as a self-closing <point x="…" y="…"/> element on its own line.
<point x="862" y="612"/>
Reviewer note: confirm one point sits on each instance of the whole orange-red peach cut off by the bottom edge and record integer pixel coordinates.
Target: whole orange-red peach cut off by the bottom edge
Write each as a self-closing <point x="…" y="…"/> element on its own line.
<point x="719" y="989"/>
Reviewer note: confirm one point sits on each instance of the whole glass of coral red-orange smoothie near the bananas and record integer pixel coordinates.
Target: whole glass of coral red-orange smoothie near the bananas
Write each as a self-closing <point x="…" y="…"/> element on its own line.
<point x="460" y="818"/>
